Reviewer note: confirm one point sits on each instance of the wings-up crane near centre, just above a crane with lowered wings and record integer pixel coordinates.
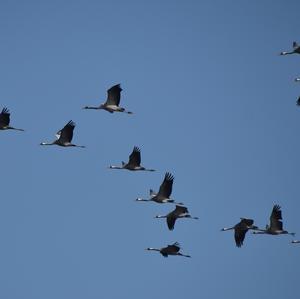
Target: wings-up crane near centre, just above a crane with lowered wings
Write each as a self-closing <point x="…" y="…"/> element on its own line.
<point x="165" y="190"/>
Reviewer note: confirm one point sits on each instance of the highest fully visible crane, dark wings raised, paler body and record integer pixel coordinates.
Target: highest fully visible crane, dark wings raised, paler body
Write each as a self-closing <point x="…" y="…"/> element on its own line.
<point x="113" y="100"/>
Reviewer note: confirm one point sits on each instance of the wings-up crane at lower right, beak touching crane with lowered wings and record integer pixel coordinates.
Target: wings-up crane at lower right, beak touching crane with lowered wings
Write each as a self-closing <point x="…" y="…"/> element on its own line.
<point x="276" y="226"/>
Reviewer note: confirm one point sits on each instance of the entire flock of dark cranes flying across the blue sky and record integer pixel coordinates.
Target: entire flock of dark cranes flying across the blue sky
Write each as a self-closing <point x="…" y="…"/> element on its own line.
<point x="64" y="138"/>
